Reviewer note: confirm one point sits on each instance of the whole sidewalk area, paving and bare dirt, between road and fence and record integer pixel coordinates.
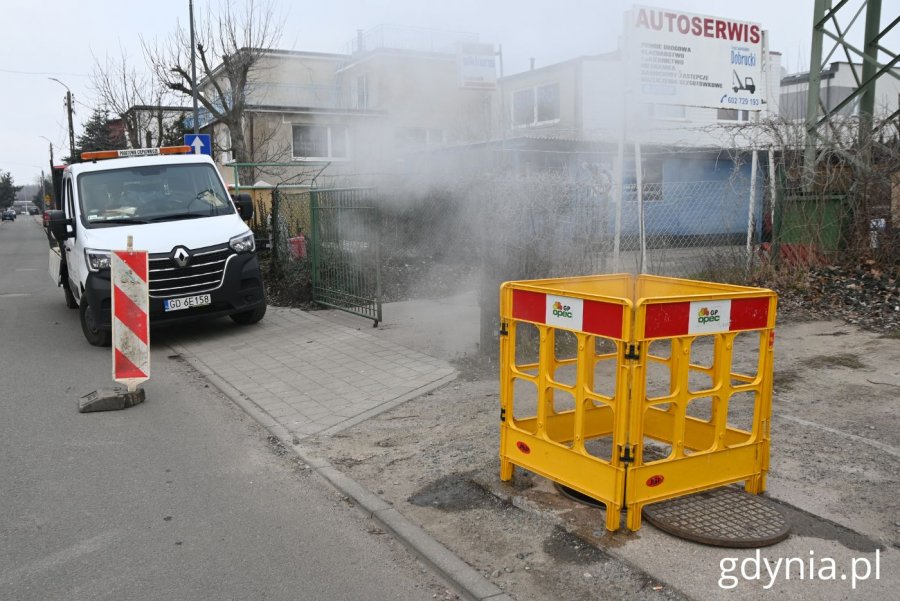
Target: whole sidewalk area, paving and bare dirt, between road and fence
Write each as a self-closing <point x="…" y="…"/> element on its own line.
<point x="422" y="467"/>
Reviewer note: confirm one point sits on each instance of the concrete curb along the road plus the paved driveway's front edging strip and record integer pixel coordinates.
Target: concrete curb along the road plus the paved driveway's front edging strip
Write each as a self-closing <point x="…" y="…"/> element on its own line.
<point x="460" y="575"/>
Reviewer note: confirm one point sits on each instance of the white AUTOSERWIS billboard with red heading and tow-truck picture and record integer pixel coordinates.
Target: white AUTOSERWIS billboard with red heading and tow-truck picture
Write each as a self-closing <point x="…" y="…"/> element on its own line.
<point x="694" y="60"/>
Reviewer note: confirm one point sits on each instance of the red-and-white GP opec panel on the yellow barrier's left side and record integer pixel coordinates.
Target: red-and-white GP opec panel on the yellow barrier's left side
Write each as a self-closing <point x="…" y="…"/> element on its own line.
<point x="569" y="313"/>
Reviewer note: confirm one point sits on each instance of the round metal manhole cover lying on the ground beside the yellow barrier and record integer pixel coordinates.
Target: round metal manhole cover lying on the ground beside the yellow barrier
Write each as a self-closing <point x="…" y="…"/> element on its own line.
<point x="723" y="517"/>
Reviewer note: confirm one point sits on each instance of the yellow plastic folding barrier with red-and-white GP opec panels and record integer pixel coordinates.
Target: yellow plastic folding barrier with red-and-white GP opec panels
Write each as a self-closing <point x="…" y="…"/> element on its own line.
<point x="621" y="402"/>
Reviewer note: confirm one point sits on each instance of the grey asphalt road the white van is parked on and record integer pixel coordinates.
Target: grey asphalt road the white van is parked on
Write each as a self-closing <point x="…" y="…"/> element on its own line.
<point x="179" y="498"/>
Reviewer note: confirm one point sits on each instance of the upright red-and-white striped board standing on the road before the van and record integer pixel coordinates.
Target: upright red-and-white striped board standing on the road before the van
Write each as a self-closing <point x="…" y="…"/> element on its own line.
<point x="131" y="317"/>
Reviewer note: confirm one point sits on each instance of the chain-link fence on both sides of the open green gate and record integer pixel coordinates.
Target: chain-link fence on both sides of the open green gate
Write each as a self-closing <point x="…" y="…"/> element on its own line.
<point x="439" y="239"/>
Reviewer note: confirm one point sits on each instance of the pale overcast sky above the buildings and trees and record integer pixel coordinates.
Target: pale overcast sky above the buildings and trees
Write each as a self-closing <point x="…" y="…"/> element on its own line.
<point x="56" y="38"/>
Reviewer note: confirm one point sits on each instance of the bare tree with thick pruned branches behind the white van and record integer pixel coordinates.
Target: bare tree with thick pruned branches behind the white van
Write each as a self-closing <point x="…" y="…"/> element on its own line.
<point x="231" y="46"/>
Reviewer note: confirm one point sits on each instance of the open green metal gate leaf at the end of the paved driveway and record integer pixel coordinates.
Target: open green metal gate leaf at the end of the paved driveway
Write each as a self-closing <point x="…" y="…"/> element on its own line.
<point x="346" y="264"/>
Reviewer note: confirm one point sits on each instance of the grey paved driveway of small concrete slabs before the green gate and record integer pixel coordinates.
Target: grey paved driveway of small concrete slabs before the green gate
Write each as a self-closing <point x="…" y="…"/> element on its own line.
<point x="325" y="375"/>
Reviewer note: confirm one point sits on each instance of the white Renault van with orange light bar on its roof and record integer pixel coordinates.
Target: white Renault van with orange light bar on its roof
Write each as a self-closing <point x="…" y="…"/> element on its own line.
<point x="175" y="206"/>
